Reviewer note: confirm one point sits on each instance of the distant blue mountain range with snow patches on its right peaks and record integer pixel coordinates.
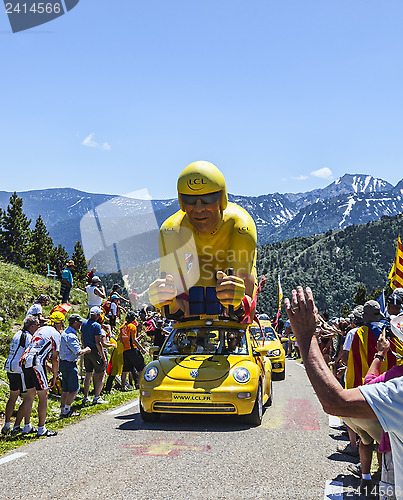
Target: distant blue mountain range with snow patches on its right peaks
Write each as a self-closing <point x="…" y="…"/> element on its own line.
<point x="351" y="199"/>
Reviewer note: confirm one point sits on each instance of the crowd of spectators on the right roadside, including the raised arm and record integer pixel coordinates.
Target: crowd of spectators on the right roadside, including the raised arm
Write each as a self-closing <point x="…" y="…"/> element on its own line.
<point x="365" y="349"/>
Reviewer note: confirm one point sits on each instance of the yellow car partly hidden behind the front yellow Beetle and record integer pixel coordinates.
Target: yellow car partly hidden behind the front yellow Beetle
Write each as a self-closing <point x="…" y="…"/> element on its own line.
<point x="275" y="350"/>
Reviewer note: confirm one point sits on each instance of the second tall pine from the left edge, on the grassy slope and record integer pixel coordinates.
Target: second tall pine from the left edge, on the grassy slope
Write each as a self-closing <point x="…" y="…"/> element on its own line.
<point x="40" y="248"/>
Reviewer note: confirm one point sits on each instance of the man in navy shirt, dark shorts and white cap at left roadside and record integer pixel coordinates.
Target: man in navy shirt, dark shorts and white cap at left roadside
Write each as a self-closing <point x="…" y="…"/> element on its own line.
<point x="95" y="361"/>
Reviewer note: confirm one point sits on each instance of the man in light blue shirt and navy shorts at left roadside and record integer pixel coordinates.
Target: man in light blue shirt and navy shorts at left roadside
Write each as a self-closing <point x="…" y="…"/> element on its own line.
<point x="70" y="350"/>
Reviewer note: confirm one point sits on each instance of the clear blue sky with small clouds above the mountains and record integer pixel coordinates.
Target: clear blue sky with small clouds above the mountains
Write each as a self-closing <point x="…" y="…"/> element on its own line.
<point x="120" y="95"/>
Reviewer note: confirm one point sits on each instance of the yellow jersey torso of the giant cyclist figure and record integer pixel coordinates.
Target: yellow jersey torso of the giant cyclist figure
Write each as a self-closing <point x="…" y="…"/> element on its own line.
<point x="193" y="258"/>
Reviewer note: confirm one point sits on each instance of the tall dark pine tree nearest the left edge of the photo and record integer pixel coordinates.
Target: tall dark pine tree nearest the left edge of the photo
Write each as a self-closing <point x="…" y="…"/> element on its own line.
<point x="14" y="232"/>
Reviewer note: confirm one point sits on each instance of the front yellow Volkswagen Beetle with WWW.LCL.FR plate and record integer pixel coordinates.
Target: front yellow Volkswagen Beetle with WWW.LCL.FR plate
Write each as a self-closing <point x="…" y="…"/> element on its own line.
<point x="207" y="366"/>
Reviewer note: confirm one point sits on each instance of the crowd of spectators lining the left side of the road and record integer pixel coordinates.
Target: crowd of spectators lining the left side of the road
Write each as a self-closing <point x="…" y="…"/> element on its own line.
<point x="106" y="349"/>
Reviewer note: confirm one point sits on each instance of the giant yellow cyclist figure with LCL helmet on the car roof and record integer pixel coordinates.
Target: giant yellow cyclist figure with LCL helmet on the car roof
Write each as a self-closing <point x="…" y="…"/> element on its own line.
<point x="206" y="237"/>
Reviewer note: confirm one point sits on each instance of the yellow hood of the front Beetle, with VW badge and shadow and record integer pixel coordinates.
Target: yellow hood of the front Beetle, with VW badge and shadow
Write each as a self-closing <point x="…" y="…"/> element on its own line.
<point x="208" y="367"/>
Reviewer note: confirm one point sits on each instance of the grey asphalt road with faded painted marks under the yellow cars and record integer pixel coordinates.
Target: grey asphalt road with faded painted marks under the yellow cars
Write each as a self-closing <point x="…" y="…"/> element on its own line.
<point x="117" y="456"/>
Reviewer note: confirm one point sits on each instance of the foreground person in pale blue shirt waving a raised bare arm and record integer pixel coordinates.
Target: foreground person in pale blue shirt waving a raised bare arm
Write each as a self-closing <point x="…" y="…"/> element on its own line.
<point x="382" y="400"/>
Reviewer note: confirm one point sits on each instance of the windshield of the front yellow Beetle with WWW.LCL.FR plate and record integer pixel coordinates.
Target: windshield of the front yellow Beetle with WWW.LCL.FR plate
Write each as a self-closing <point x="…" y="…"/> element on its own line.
<point x="221" y="341"/>
